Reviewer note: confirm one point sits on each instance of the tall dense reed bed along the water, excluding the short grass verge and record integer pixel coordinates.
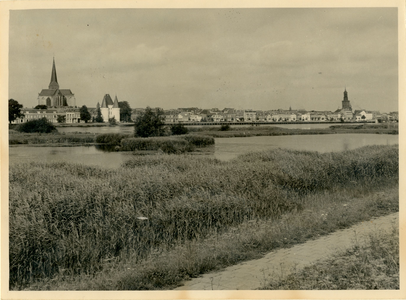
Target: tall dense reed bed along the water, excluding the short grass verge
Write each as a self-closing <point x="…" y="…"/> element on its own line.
<point x="79" y="225"/>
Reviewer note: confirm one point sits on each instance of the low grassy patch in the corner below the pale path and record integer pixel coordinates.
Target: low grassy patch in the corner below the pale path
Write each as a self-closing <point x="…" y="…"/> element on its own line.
<point x="374" y="266"/>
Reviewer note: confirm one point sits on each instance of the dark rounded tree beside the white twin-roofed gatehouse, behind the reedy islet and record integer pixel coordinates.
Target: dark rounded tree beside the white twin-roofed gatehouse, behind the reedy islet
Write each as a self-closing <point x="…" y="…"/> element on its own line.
<point x="150" y="123"/>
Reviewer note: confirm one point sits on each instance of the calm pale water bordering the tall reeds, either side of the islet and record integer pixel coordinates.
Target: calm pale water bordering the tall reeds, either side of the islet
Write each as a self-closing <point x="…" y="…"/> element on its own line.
<point x="224" y="149"/>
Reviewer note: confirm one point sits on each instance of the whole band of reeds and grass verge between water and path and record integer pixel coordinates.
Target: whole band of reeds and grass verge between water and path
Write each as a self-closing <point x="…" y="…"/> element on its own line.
<point x="89" y="231"/>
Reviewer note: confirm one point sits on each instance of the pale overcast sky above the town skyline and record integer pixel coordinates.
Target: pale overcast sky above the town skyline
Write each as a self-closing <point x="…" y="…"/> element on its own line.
<point x="259" y="58"/>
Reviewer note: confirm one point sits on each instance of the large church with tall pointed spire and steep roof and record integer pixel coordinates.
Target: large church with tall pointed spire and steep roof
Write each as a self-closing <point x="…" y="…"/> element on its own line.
<point x="54" y="96"/>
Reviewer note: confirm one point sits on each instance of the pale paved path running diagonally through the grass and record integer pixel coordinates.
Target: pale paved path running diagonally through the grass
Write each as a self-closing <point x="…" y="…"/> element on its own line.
<point x="253" y="274"/>
